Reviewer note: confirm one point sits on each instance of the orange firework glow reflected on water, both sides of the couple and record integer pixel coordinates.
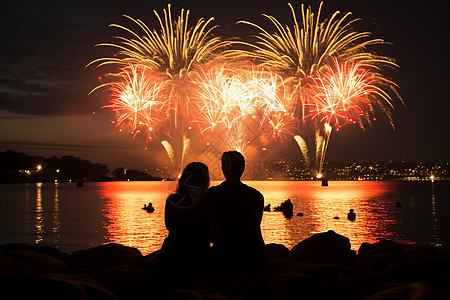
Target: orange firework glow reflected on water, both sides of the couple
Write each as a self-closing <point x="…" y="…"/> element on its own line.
<point x="129" y="225"/>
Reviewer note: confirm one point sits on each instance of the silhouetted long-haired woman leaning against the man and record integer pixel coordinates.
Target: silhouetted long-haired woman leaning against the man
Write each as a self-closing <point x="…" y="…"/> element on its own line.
<point x="186" y="218"/>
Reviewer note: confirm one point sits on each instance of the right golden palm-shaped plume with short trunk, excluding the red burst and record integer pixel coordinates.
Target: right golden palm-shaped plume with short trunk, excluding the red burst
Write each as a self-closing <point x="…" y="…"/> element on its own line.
<point x="301" y="50"/>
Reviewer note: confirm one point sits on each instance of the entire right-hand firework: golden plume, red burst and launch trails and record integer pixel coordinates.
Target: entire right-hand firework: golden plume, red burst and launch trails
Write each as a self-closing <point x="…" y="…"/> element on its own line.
<point x="317" y="92"/>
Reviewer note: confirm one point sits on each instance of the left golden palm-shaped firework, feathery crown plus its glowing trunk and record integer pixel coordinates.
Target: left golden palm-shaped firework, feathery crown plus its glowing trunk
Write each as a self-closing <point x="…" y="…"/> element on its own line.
<point x="171" y="52"/>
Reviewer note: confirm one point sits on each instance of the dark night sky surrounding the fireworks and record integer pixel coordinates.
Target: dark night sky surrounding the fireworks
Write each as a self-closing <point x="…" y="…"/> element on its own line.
<point x="45" y="108"/>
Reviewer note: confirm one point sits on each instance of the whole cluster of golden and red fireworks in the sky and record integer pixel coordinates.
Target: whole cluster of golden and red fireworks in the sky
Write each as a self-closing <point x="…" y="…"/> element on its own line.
<point x="314" y="72"/>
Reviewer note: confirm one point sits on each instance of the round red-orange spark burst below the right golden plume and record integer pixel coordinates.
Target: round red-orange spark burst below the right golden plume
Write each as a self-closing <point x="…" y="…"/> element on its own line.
<point x="344" y="93"/>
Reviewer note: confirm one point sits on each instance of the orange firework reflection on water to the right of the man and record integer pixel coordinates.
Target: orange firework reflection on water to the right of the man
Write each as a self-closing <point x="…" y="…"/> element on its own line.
<point x="320" y="205"/>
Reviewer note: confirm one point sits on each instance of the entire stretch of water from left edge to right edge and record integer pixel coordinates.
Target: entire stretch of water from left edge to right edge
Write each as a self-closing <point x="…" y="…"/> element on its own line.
<point x="70" y="218"/>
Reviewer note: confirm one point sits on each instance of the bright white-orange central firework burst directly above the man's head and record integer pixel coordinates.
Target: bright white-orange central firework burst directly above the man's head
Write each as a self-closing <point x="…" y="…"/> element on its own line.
<point x="236" y="98"/>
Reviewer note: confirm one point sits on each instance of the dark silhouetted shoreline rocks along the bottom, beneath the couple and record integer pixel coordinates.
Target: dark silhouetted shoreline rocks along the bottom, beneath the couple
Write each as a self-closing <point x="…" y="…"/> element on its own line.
<point x="321" y="267"/>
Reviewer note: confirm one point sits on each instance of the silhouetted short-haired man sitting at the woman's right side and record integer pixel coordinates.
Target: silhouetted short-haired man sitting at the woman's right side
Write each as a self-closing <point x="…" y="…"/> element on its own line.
<point x="236" y="213"/>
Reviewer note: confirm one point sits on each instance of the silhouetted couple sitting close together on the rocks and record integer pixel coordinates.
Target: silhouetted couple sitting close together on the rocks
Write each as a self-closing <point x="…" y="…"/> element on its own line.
<point x="228" y="216"/>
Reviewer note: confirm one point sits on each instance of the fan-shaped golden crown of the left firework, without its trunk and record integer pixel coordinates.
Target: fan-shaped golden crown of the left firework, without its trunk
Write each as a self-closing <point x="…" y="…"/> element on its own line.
<point x="173" y="51"/>
